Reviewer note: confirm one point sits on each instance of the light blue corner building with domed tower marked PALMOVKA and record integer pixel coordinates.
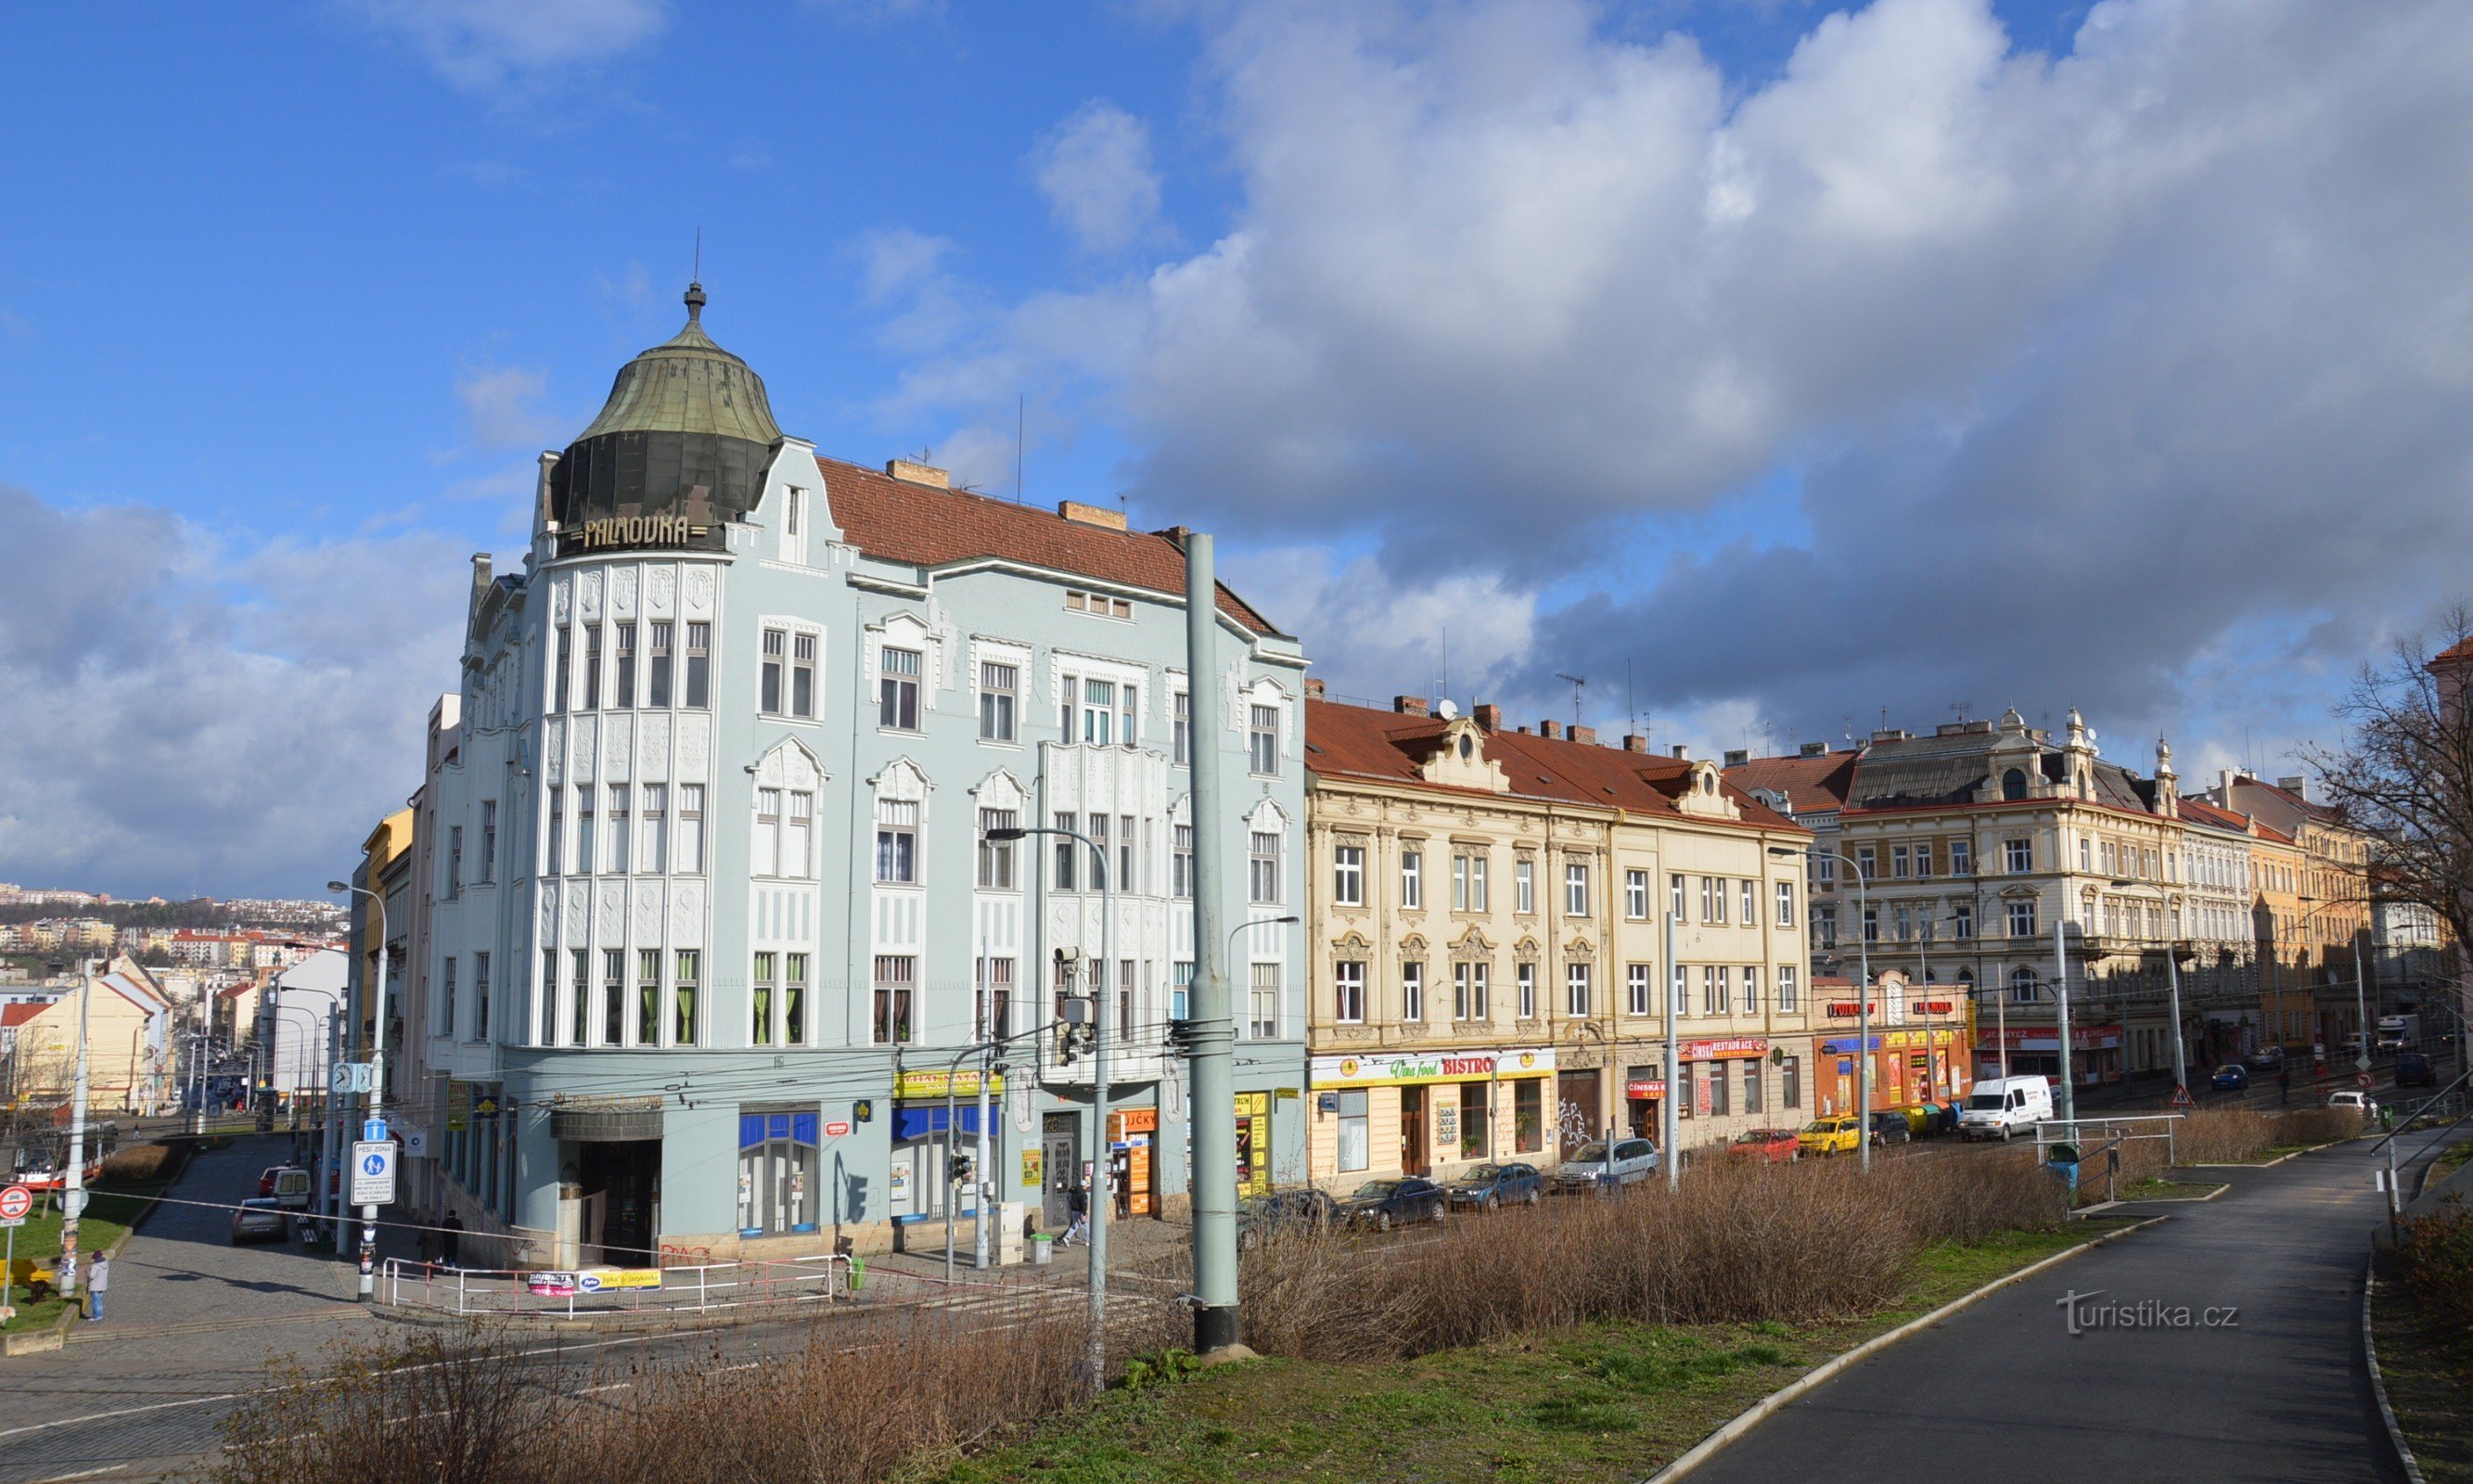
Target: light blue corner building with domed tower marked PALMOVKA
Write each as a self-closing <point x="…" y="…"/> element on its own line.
<point x="709" y="899"/>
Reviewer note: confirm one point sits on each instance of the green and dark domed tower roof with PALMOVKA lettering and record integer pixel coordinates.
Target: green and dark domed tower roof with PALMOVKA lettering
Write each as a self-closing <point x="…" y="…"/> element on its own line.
<point x="684" y="441"/>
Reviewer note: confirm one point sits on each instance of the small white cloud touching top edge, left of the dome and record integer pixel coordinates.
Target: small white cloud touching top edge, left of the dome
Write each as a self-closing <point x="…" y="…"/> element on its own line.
<point x="491" y="43"/>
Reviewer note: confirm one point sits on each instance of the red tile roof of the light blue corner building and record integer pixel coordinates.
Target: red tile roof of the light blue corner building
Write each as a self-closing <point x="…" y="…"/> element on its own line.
<point x="904" y="521"/>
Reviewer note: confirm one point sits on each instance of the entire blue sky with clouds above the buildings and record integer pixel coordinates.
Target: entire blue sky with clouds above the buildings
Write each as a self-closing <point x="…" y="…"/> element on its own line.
<point x="1782" y="370"/>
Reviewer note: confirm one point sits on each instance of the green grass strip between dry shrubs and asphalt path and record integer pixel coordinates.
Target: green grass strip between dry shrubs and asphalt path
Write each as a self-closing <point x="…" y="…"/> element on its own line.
<point x="1601" y="1404"/>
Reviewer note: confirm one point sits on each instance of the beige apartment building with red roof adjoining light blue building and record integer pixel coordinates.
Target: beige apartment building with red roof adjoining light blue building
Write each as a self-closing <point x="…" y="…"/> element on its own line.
<point x="1488" y="944"/>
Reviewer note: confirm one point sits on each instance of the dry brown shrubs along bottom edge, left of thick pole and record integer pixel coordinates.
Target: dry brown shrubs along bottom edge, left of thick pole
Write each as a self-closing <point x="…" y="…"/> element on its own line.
<point x="498" y="1409"/>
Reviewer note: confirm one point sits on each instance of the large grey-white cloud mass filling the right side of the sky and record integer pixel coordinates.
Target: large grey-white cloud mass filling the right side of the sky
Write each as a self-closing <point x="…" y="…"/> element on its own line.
<point x="2084" y="365"/>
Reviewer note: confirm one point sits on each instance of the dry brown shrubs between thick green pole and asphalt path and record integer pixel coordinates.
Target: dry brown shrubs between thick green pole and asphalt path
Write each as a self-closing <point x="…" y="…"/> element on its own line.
<point x="1737" y="1243"/>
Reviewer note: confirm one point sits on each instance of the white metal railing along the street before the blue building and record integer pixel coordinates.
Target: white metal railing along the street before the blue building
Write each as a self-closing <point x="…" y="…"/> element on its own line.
<point x="607" y="1290"/>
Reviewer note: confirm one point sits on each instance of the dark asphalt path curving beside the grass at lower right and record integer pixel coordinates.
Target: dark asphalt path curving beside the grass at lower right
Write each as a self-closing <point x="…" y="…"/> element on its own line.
<point x="2004" y="1391"/>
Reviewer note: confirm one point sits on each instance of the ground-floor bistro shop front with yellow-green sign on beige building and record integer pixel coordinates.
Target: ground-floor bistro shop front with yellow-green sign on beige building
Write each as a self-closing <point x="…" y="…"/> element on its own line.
<point x="1428" y="1114"/>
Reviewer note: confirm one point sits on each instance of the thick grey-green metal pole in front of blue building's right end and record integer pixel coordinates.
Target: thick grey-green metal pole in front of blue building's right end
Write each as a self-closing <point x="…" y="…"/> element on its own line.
<point x="1213" y="1033"/>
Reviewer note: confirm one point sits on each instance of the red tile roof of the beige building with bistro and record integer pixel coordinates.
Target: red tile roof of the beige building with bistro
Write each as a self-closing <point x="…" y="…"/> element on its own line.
<point x="1384" y="746"/>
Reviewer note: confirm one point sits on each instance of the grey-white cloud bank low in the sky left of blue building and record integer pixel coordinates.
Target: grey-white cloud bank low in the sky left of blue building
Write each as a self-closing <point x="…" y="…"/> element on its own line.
<point x="229" y="721"/>
